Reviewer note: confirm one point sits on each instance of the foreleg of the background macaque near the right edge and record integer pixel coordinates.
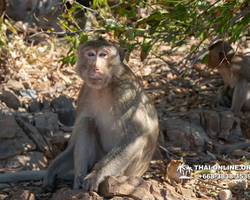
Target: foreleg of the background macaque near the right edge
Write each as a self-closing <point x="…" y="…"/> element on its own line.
<point x="239" y="96"/>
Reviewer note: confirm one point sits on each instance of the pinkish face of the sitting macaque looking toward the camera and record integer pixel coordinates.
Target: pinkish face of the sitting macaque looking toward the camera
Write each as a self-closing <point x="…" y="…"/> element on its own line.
<point x="97" y="65"/>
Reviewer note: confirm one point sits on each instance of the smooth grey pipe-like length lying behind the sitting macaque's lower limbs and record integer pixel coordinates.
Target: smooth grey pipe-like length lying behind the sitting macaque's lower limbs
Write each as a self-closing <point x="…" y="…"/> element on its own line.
<point x="29" y="176"/>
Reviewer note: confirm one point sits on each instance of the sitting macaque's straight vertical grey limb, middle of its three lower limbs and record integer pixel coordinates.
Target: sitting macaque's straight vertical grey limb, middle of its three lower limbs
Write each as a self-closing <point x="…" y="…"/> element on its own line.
<point x="85" y="148"/>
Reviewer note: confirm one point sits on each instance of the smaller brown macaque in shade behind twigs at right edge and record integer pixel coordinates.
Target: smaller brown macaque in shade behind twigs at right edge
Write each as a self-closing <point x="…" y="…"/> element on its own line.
<point x="235" y="72"/>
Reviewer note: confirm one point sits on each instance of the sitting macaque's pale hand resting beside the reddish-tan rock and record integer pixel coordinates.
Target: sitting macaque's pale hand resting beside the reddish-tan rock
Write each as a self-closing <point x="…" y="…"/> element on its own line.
<point x="92" y="181"/>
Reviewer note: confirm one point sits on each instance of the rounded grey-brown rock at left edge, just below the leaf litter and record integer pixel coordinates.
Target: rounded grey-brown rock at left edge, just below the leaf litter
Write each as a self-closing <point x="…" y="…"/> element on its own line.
<point x="10" y="99"/>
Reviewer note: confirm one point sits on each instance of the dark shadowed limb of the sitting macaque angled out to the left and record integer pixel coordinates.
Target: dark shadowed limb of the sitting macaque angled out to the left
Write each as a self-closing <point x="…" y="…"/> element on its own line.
<point x="62" y="164"/>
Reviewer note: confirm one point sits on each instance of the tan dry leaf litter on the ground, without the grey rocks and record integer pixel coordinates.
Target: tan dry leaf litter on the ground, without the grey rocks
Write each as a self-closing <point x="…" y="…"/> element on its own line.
<point x="37" y="65"/>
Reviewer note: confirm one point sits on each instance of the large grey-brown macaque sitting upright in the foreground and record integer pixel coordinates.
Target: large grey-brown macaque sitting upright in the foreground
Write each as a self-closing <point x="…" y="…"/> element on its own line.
<point x="116" y="126"/>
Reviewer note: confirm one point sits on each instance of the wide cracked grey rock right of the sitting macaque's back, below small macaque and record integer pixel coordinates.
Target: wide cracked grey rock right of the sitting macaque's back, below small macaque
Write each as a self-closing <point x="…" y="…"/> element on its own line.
<point x="199" y="130"/>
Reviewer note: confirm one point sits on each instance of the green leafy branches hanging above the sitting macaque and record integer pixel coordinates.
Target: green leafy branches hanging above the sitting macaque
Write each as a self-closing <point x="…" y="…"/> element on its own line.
<point x="147" y="24"/>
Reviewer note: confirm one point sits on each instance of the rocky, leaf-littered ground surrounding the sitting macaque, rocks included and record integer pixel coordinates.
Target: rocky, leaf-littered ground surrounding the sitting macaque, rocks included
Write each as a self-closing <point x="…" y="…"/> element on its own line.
<point x="37" y="112"/>
